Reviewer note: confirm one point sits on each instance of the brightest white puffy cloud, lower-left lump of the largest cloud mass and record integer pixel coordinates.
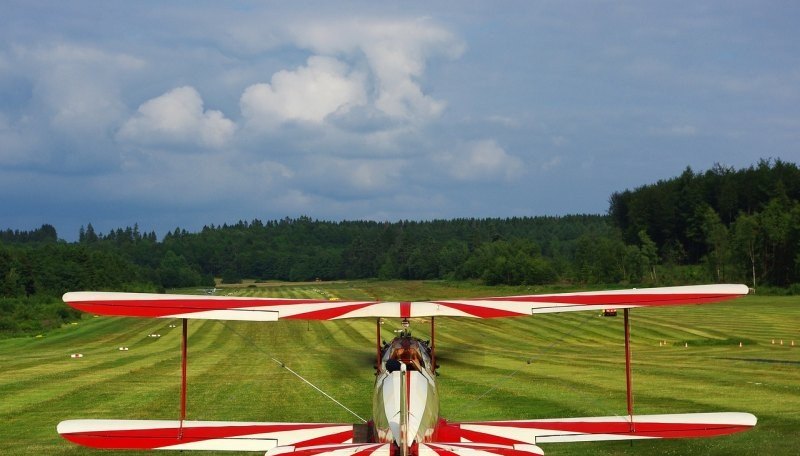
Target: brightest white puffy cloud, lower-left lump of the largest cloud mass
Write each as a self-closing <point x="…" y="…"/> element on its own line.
<point x="310" y="93"/>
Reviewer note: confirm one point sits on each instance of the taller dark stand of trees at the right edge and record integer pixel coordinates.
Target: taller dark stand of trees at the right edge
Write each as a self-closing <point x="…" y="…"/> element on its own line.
<point x="738" y="225"/>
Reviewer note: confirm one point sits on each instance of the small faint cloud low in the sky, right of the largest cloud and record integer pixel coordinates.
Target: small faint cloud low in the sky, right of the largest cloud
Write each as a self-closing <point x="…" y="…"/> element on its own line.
<point x="482" y="160"/>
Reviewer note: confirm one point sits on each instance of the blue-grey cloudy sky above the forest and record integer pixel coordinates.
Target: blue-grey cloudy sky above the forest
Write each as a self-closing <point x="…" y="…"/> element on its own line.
<point x="191" y="113"/>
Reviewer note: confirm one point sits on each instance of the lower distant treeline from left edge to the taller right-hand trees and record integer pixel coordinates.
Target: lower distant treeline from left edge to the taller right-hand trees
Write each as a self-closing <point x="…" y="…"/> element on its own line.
<point x="515" y="251"/>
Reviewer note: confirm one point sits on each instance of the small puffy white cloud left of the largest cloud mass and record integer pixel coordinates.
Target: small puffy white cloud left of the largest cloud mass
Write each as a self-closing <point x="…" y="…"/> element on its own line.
<point x="177" y="117"/>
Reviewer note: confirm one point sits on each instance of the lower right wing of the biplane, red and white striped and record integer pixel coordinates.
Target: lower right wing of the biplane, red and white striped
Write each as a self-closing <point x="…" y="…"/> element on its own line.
<point x="599" y="428"/>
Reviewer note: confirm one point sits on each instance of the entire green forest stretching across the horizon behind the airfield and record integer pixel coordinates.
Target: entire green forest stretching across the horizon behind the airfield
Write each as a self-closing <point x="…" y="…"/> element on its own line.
<point x="721" y="225"/>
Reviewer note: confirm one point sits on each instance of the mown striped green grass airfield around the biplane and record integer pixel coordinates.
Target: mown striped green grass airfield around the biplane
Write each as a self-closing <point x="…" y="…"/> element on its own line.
<point x="556" y="365"/>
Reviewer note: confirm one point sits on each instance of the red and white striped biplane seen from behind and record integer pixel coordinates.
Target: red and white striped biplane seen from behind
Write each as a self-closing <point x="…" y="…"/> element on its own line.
<point x="405" y="411"/>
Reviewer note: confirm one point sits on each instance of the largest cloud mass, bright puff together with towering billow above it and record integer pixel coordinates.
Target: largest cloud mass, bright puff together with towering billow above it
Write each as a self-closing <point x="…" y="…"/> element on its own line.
<point x="364" y="76"/>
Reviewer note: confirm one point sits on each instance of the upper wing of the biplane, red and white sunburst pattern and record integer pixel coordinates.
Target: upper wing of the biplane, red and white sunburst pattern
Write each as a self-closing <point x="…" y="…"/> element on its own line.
<point x="272" y="309"/>
